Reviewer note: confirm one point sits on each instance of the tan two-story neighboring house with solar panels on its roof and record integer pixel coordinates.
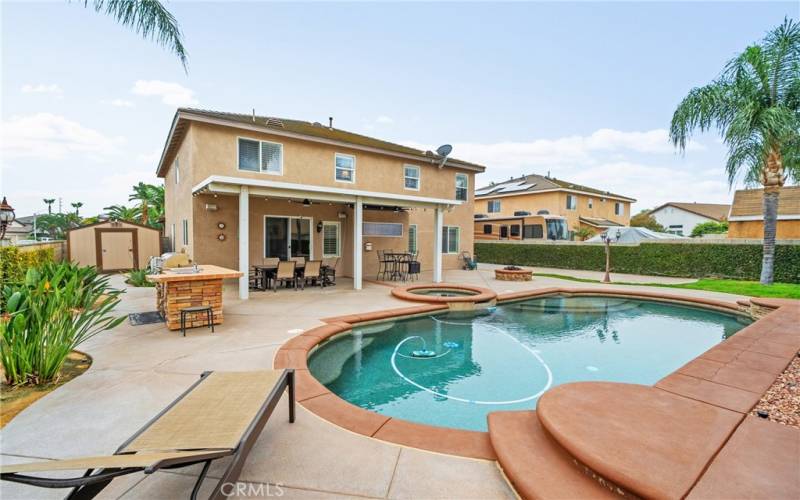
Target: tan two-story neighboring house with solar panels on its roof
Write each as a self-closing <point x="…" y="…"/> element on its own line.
<point x="580" y="206"/>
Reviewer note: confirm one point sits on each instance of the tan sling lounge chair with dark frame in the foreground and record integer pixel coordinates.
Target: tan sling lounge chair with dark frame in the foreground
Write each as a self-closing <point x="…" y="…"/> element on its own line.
<point x="220" y="415"/>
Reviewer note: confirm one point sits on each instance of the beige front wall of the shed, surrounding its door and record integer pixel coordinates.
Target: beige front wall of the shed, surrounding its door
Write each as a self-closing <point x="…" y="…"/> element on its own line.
<point x="82" y="249"/>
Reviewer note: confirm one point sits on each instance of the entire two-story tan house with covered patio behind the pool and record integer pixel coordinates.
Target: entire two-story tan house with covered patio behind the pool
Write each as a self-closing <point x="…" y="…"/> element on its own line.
<point x="240" y="188"/>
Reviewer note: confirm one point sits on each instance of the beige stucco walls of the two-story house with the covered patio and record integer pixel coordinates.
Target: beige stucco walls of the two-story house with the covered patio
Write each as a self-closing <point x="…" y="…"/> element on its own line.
<point x="212" y="150"/>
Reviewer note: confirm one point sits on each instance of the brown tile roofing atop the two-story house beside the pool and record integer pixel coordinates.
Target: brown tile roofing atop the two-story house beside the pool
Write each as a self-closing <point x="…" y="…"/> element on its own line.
<point x="304" y="128"/>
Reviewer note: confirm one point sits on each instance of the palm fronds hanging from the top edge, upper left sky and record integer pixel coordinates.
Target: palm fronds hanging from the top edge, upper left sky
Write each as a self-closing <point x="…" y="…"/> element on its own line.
<point x="147" y="17"/>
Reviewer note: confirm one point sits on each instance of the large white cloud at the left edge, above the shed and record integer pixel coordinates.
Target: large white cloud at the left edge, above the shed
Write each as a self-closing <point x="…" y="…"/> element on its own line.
<point x="49" y="136"/>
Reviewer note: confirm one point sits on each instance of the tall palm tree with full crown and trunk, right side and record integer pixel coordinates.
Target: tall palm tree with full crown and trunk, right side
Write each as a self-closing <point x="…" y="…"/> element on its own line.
<point x="755" y="106"/>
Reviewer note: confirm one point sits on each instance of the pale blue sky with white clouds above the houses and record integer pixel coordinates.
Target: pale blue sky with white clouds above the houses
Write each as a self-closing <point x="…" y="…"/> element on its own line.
<point x="584" y="91"/>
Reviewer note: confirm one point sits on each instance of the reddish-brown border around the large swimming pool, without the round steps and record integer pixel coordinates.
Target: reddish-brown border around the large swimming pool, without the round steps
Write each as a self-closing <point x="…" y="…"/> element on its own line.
<point x="732" y="375"/>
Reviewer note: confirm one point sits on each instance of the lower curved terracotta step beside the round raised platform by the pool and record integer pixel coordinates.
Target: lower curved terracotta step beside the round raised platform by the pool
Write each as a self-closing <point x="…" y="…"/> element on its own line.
<point x="536" y="465"/>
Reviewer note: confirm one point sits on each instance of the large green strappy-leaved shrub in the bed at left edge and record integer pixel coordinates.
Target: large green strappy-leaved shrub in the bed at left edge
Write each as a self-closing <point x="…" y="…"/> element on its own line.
<point x="50" y="313"/>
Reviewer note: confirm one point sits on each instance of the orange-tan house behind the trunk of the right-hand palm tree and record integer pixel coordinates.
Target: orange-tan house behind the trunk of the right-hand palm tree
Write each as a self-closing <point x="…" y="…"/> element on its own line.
<point x="746" y="219"/>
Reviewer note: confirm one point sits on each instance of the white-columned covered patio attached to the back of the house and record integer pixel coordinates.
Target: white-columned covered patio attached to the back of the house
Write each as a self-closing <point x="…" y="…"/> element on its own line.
<point x="285" y="220"/>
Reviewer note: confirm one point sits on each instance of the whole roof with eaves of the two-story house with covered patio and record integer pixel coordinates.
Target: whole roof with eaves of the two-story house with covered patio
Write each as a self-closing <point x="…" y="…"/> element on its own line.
<point x="297" y="128"/>
